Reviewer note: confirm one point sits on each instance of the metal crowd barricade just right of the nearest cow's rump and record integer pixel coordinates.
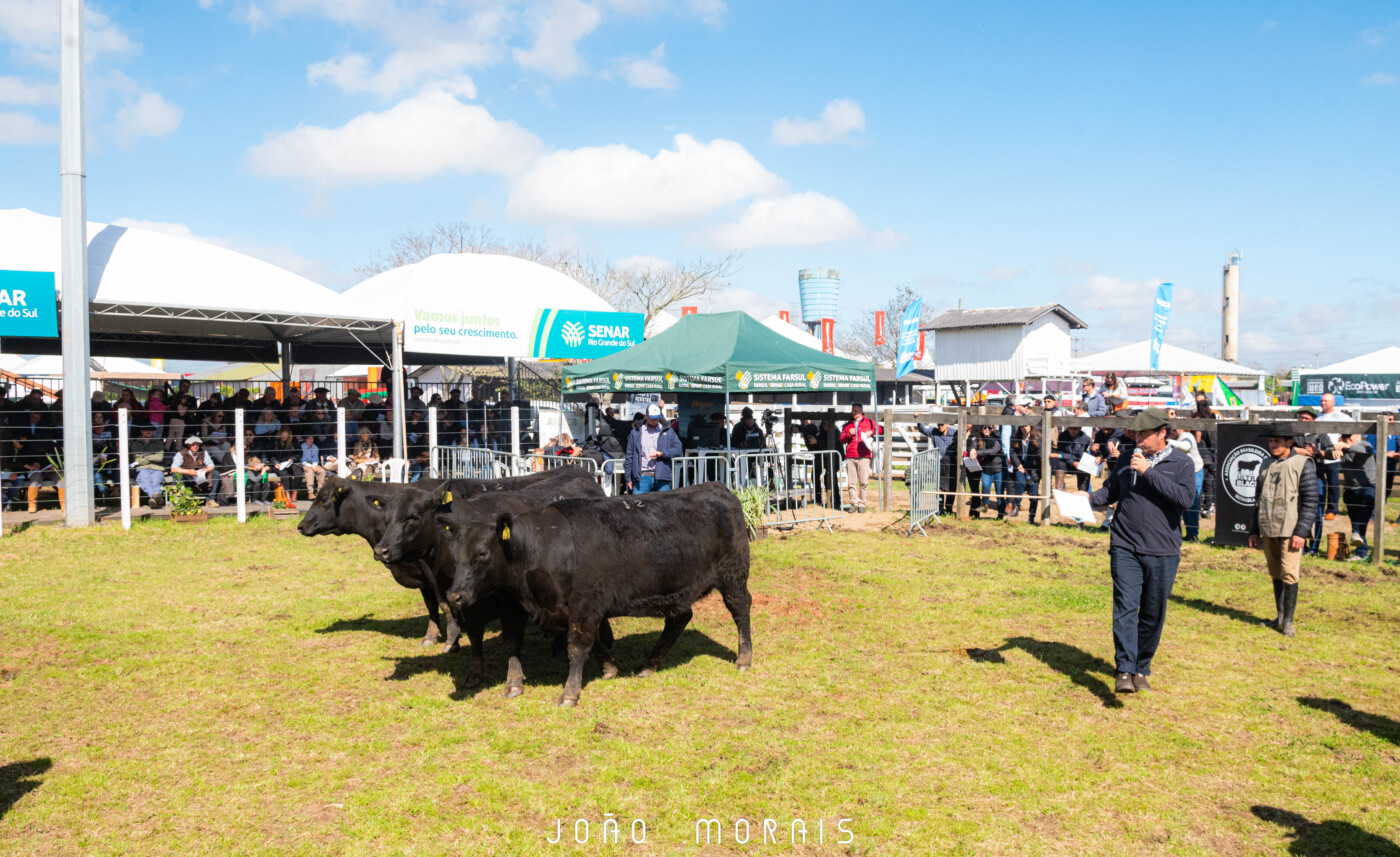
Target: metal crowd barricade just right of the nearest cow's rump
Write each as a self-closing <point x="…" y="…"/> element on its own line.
<point x="801" y="487"/>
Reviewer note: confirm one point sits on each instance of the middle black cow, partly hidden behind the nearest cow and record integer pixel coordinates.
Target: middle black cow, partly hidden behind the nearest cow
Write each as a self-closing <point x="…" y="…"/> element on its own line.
<point x="415" y="533"/>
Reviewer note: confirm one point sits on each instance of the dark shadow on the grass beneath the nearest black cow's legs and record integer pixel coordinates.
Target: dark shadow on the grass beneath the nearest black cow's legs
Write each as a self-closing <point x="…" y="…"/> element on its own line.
<point x="545" y="669"/>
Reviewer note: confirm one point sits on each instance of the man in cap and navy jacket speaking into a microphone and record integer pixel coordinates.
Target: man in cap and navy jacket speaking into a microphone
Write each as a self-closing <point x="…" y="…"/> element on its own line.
<point x="1144" y="544"/>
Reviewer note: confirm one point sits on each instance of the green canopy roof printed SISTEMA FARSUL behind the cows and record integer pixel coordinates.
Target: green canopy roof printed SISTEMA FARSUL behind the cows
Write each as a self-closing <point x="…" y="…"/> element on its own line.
<point x="726" y="352"/>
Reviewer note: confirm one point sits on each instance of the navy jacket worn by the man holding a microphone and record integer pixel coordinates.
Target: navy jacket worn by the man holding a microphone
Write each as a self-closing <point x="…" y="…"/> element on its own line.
<point x="1150" y="505"/>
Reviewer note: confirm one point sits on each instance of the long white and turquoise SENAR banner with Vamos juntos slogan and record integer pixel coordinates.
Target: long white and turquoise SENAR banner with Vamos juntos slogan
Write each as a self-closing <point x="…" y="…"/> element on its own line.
<point x="520" y="333"/>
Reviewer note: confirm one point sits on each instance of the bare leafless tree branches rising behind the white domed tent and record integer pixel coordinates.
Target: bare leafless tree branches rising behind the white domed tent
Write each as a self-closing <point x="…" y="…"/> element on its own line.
<point x="647" y="291"/>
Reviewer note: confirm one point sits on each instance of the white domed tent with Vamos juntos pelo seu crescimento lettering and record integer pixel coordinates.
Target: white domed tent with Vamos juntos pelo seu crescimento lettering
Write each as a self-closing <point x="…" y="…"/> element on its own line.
<point x="470" y="305"/>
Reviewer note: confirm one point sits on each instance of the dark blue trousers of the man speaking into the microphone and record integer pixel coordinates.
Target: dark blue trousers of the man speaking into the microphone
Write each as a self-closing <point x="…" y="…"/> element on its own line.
<point x="1142" y="586"/>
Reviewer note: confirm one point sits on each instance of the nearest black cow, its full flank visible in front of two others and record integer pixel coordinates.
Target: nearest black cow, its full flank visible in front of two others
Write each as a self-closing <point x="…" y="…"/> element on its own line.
<point x="579" y="562"/>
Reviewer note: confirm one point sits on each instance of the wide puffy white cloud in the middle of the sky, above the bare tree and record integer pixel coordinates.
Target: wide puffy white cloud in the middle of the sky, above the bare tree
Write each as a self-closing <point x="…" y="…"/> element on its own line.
<point x="622" y="187"/>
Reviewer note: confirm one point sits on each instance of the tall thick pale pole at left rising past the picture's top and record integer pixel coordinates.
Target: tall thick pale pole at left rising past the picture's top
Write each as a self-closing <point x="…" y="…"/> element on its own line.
<point x="78" y="407"/>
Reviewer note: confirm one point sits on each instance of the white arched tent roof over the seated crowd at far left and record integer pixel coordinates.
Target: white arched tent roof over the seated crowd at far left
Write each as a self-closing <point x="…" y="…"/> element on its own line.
<point x="166" y="296"/>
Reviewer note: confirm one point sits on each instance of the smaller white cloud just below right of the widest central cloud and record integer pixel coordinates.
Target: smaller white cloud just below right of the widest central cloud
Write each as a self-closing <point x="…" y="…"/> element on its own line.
<point x="794" y="221"/>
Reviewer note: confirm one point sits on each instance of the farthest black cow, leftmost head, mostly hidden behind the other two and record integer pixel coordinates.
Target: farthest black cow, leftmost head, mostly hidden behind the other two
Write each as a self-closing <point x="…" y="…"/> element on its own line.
<point x="352" y="508"/>
